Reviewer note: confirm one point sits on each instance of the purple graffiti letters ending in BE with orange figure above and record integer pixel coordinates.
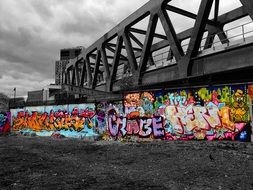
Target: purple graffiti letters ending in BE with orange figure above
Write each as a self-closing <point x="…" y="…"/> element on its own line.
<point x="138" y="119"/>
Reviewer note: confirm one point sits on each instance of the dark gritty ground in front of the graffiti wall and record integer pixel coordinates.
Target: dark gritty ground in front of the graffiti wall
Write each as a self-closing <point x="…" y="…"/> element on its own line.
<point x="49" y="163"/>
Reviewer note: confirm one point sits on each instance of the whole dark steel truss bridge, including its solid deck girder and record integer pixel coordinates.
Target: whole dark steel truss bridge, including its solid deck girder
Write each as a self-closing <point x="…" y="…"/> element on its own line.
<point x="129" y="58"/>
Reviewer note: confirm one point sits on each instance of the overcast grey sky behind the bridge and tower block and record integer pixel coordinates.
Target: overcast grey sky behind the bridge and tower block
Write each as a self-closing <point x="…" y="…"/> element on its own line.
<point x="32" y="32"/>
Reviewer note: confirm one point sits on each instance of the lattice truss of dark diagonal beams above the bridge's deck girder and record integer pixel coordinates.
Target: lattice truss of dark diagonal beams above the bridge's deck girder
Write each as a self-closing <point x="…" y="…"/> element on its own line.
<point x="148" y="40"/>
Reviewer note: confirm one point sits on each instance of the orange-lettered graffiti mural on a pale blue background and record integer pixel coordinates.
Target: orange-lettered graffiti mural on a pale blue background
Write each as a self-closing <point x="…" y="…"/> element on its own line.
<point x="68" y="120"/>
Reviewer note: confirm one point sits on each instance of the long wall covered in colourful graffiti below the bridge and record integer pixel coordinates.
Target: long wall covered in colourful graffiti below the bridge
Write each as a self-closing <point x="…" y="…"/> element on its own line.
<point x="204" y="113"/>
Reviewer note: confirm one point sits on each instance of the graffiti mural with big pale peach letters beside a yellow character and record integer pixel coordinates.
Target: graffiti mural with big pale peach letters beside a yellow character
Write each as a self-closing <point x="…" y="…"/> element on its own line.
<point x="206" y="113"/>
